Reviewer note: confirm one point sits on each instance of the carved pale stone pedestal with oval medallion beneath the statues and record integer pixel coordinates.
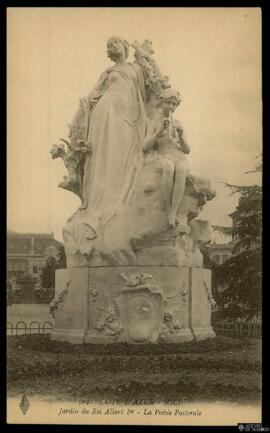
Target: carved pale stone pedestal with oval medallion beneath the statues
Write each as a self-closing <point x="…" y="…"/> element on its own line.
<point x="132" y="304"/>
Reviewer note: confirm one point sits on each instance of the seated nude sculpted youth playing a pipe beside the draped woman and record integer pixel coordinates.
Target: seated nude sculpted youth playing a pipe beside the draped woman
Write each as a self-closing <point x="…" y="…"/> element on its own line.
<point x="166" y="137"/>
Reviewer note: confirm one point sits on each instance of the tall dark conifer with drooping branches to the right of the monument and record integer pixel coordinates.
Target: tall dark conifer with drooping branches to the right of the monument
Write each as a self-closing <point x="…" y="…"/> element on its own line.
<point x="237" y="283"/>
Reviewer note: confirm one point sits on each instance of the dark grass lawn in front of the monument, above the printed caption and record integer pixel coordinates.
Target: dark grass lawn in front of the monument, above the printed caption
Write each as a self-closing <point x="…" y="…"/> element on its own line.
<point x="221" y="369"/>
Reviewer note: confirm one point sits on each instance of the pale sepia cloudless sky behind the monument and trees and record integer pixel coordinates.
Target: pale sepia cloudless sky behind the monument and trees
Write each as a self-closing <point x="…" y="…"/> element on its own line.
<point x="56" y="55"/>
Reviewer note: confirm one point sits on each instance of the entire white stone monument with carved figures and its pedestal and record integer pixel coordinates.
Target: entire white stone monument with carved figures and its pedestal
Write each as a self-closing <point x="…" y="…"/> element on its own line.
<point x="134" y="267"/>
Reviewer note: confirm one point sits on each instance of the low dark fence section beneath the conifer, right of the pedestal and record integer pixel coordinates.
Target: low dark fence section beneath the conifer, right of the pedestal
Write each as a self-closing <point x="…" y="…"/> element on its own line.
<point x="238" y="329"/>
